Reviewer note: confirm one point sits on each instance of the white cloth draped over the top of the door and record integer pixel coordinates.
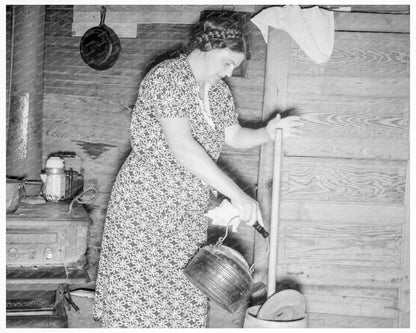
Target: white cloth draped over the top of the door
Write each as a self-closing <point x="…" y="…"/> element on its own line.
<point x="312" y="28"/>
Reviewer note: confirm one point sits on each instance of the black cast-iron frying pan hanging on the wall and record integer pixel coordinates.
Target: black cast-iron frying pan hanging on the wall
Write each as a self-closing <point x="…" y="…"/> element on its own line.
<point x="100" y="46"/>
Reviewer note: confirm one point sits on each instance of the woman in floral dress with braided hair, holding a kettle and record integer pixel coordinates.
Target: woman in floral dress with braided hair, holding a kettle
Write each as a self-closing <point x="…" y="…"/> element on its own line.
<point x="155" y="220"/>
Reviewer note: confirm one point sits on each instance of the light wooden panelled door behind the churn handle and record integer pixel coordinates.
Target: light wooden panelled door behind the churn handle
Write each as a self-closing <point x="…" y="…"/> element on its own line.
<point x="344" y="228"/>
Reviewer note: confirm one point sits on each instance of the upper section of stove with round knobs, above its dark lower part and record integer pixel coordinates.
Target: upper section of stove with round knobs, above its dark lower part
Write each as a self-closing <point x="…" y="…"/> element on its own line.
<point x="46" y="244"/>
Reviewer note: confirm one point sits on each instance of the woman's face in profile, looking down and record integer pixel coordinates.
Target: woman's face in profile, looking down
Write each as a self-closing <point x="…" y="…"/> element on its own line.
<point x="219" y="63"/>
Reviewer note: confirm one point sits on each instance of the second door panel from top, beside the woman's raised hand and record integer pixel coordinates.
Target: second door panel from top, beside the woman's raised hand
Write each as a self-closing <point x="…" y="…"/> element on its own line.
<point x="352" y="116"/>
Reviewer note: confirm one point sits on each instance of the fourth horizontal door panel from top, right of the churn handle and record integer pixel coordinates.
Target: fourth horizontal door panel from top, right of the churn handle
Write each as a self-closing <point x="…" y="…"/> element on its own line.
<point x="356" y="243"/>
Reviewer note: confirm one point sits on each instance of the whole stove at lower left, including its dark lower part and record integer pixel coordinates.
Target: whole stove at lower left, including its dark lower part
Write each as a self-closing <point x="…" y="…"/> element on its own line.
<point x="46" y="247"/>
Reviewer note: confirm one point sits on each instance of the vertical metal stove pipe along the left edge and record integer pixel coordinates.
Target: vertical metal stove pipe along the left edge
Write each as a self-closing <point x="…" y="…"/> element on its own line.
<point x="24" y="130"/>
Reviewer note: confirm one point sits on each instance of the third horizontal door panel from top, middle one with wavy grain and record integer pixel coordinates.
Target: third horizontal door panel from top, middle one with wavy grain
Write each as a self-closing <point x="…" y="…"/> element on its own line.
<point x="343" y="180"/>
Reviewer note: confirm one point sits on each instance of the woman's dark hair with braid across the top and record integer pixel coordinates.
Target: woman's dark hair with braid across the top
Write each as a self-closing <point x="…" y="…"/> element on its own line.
<point x="218" y="33"/>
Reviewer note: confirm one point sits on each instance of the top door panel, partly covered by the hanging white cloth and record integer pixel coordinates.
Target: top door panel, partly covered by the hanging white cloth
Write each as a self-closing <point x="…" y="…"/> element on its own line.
<point x="359" y="54"/>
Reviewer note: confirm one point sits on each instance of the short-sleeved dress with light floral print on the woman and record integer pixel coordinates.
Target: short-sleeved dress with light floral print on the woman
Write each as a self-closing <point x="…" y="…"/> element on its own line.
<point x="155" y="219"/>
